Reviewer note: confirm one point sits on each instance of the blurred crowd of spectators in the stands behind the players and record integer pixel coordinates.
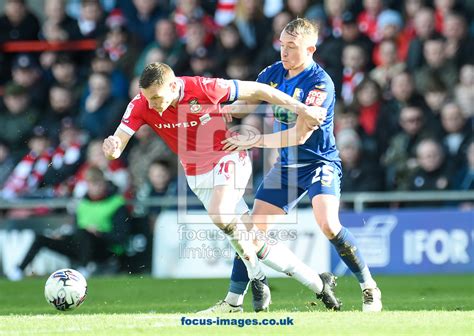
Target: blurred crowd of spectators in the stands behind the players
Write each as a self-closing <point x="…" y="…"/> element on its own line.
<point x="403" y="70"/>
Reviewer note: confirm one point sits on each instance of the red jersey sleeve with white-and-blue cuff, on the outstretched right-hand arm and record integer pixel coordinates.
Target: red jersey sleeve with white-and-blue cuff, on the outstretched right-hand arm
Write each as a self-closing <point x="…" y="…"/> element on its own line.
<point x="220" y="90"/>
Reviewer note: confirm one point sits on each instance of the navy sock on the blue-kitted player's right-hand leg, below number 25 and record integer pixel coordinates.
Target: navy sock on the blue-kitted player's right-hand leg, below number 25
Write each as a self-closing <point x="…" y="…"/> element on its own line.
<point x="347" y="249"/>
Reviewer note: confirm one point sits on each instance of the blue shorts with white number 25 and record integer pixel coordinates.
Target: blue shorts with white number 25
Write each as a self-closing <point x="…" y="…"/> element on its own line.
<point x="285" y="186"/>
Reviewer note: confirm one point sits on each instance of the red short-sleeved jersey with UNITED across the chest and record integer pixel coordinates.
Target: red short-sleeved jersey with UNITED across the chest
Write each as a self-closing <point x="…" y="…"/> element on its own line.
<point x="194" y="129"/>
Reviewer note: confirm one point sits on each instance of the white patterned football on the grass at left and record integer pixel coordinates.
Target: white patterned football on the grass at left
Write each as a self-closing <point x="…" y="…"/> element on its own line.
<point x="65" y="289"/>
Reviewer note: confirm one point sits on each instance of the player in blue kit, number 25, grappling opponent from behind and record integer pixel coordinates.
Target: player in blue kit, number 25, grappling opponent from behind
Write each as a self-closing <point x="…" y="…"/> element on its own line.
<point x="309" y="161"/>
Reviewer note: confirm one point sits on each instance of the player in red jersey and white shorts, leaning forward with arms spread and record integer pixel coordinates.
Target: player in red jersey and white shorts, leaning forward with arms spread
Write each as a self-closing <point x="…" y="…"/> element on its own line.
<point x="185" y="112"/>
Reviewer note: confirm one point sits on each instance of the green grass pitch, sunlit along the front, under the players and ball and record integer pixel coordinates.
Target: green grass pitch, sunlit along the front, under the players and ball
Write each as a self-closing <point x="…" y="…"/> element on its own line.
<point x="413" y="305"/>
